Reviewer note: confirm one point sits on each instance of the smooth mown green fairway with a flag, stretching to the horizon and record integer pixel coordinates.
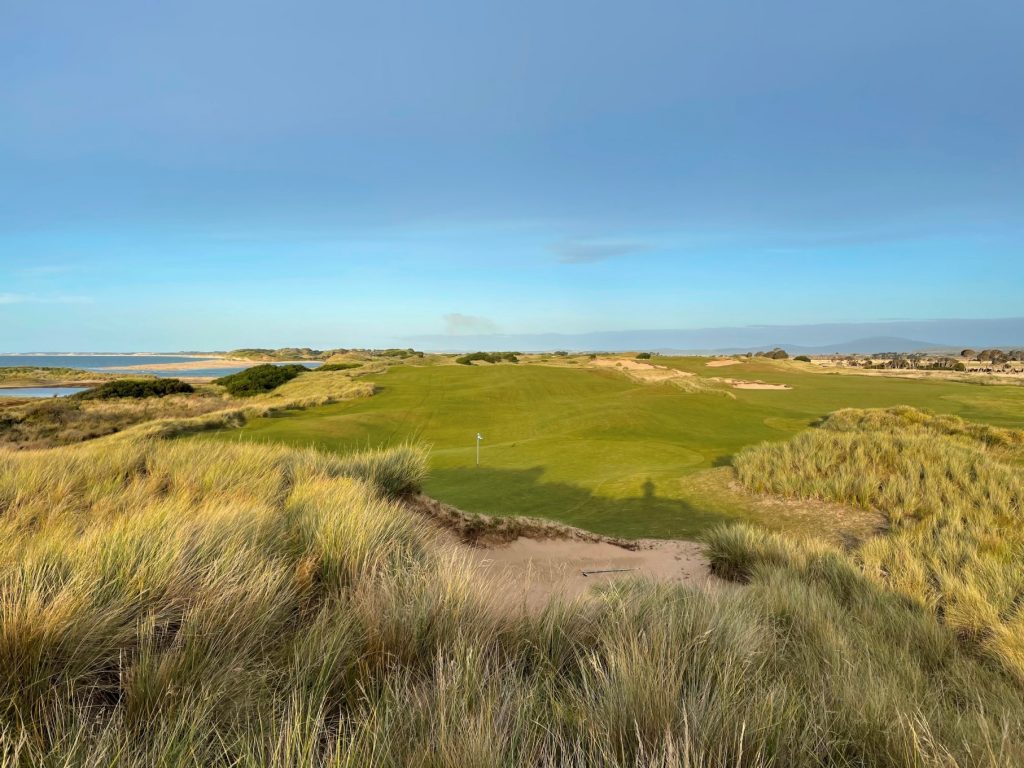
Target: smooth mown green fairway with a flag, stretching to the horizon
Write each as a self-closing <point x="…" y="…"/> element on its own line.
<point x="594" y="449"/>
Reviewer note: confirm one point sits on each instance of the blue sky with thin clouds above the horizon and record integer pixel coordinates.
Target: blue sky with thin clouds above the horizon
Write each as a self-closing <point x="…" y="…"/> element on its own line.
<point x="217" y="175"/>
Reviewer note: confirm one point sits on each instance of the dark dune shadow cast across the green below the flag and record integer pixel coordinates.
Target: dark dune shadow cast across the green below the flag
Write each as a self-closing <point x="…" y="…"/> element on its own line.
<point x="522" y="492"/>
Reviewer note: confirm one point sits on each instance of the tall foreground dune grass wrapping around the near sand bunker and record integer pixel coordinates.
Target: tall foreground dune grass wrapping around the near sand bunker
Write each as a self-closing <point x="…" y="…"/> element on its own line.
<point x="184" y="604"/>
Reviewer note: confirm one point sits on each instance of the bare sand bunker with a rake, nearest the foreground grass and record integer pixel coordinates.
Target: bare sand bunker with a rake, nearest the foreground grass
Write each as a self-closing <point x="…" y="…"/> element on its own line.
<point x="532" y="572"/>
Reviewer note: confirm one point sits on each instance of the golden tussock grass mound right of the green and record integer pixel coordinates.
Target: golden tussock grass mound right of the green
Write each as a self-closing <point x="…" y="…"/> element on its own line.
<point x="954" y="498"/>
